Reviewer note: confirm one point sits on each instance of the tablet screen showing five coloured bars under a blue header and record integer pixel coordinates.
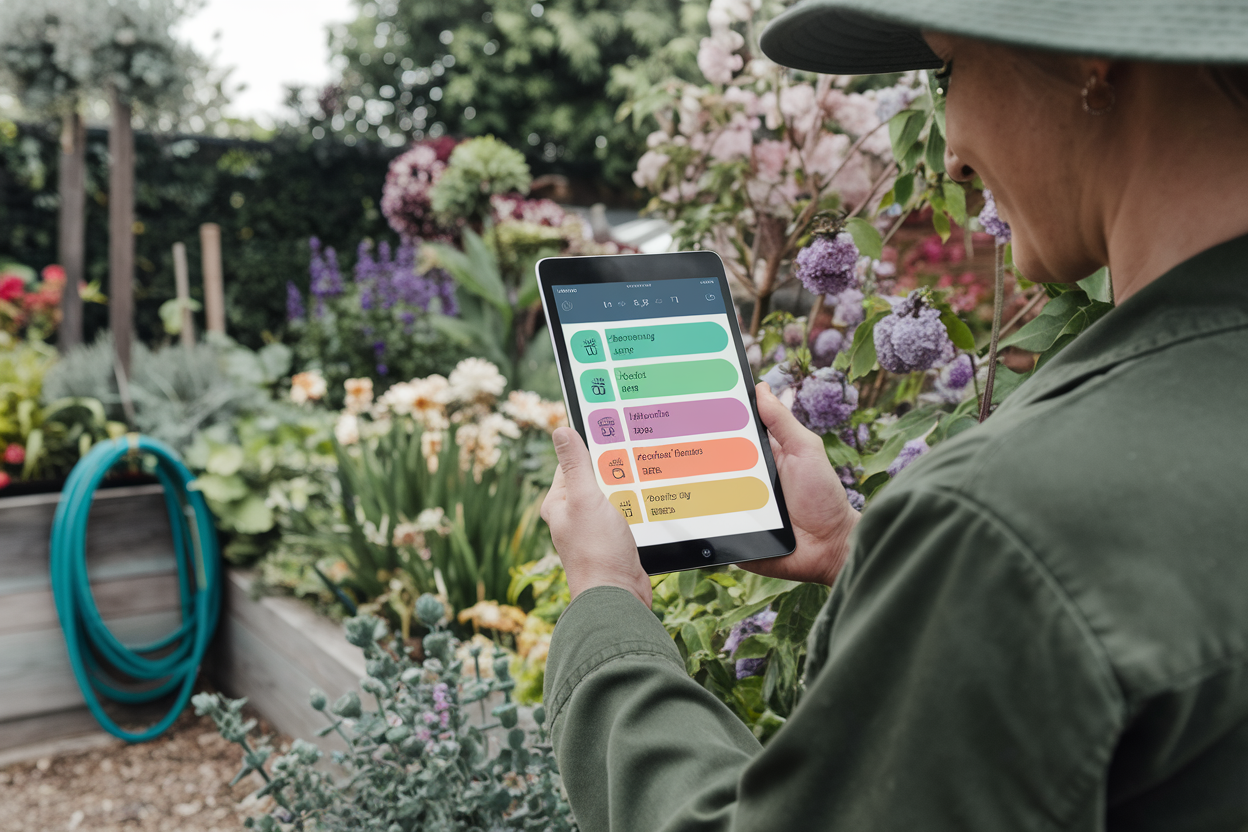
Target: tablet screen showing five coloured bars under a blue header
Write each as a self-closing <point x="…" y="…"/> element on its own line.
<point x="672" y="433"/>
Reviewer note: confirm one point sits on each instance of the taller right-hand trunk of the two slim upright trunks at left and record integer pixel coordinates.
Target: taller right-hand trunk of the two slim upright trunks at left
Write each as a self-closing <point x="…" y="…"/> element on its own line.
<point x="122" y="230"/>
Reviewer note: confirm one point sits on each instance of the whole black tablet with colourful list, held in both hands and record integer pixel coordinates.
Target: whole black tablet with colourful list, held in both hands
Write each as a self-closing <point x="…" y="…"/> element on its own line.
<point x="656" y="381"/>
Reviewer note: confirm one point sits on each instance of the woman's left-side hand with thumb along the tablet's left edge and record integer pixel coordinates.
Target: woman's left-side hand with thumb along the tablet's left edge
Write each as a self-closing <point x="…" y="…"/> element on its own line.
<point x="591" y="536"/>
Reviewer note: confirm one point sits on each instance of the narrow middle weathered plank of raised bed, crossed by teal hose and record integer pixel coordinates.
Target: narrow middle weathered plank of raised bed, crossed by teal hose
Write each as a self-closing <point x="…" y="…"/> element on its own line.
<point x="117" y="599"/>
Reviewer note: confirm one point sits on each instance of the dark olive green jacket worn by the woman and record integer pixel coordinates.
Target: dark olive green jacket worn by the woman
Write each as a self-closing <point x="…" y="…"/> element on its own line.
<point x="1043" y="626"/>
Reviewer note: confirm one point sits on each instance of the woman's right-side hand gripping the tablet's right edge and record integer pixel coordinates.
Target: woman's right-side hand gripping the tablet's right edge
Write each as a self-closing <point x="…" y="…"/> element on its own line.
<point x="822" y="516"/>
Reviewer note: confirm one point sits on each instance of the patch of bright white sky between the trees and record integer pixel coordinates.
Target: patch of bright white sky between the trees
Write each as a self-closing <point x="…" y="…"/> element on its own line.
<point x="270" y="44"/>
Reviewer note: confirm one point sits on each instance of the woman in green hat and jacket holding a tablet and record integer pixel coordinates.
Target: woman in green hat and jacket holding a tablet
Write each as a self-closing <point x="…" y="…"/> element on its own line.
<point x="1044" y="623"/>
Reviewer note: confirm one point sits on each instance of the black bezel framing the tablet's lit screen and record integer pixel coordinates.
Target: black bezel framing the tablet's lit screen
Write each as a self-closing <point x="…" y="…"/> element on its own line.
<point x="631" y="269"/>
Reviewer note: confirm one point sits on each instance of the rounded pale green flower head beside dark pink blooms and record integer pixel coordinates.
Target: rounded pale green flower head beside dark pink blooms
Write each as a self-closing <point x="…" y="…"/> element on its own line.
<point x="477" y="170"/>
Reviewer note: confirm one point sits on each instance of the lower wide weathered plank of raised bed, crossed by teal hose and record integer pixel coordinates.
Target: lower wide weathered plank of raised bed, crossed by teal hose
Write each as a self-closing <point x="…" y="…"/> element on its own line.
<point x="36" y="675"/>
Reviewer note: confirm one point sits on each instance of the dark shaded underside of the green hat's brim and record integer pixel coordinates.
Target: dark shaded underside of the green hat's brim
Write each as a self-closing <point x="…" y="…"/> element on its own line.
<point x="822" y="38"/>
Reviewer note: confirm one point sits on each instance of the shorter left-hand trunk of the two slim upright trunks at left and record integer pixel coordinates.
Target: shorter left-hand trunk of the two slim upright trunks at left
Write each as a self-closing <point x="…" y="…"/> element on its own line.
<point x="72" y="244"/>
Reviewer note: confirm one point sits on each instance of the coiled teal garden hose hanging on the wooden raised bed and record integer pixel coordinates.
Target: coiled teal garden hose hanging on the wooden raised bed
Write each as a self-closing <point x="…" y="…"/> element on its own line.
<point x="92" y="646"/>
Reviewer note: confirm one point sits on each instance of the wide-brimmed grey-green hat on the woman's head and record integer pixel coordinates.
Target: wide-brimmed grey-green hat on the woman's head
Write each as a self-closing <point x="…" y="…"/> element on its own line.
<point x="862" y="37"/>
